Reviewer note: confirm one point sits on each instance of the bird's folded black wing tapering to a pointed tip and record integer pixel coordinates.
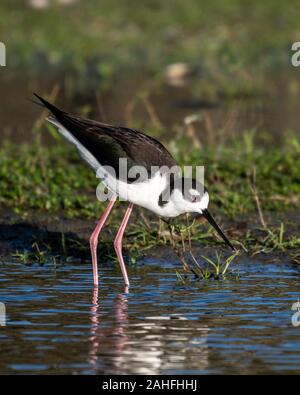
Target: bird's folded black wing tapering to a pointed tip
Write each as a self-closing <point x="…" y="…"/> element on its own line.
<point x="108" y="143"/>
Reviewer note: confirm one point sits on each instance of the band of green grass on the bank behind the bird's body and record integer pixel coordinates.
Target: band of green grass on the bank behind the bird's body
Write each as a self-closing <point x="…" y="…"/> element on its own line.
<point x="55" y="178"/>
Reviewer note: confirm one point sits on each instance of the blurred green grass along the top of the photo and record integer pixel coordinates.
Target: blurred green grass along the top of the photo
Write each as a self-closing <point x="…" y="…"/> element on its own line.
<point x="230" y="44"/>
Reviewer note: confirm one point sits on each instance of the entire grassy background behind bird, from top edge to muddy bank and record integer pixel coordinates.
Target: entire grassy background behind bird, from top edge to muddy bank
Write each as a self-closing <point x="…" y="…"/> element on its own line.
<point x="201" y="76"/>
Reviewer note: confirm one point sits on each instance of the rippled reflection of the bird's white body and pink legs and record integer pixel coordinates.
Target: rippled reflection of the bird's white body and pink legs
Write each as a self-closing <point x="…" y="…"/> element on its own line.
<point x="152" y="345"/>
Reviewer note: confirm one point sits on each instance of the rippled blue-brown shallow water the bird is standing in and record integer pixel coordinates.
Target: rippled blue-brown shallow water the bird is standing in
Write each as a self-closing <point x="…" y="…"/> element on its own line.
<point x="56" y="323"/>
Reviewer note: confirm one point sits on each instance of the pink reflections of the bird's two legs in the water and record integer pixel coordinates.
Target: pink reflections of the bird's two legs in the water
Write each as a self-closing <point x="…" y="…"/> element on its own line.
<point x="100" y="333"/>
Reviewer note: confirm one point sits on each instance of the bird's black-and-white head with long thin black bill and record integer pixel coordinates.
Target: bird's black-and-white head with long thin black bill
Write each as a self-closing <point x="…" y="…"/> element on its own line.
<point x="190" y="196"/>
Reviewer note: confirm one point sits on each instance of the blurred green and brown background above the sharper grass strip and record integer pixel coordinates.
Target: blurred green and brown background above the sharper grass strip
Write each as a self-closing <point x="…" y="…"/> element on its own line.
<point x="152" y="64"/>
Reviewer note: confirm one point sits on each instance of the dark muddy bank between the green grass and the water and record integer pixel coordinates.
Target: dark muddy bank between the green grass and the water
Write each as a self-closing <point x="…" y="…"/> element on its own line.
<point x="68" y="238"/>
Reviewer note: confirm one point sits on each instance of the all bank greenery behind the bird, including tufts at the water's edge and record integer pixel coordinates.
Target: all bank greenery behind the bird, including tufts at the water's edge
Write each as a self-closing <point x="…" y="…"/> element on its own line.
<point x="55" y="180"/>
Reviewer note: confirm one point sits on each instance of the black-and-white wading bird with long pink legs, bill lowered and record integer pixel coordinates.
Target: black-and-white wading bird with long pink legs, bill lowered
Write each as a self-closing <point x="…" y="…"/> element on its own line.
<point x="155" y="182"/>
